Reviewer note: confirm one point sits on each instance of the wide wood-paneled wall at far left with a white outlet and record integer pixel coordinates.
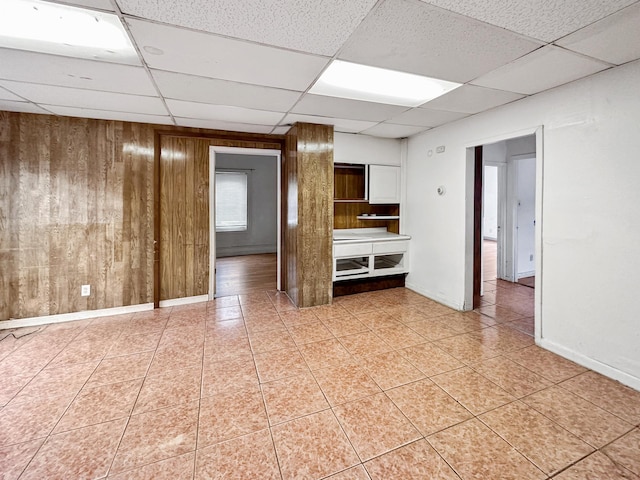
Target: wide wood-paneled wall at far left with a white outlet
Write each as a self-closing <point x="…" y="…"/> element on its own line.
<point x="76" y="207"/>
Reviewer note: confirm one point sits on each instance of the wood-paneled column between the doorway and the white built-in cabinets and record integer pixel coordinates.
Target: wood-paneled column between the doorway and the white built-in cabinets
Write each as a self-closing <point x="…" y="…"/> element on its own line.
<point x="308" y="213"/>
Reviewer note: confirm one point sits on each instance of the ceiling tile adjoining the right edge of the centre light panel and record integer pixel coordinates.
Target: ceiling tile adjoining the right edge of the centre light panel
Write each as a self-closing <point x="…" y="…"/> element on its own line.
<point x="472" y="99"/>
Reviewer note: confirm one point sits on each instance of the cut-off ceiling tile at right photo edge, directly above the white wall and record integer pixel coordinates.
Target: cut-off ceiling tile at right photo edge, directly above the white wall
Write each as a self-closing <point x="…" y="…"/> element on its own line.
<point x="613" y="39"/>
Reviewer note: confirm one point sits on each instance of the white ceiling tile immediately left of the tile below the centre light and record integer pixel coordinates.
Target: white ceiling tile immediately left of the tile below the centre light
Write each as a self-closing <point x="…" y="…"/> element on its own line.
<point x="222" y="92"/>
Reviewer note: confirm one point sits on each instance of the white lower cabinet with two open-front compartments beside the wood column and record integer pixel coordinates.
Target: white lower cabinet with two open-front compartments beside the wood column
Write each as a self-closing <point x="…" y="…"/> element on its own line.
<point x="371" y="259"/>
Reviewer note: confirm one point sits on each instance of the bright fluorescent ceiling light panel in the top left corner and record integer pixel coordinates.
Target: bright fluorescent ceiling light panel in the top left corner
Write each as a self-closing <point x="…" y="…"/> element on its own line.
<point x="64" y="30"/>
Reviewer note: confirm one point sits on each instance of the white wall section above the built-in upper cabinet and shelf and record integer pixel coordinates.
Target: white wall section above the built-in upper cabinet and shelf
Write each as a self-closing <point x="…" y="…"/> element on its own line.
<point x="365" y="150"/>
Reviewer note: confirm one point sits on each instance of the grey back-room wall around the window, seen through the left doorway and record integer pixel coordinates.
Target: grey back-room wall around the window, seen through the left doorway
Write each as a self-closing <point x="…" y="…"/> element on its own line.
<point x="261" y="235"/>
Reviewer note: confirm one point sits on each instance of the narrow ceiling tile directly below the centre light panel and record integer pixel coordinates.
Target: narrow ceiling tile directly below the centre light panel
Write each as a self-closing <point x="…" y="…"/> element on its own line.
<point x="345" y="108"/>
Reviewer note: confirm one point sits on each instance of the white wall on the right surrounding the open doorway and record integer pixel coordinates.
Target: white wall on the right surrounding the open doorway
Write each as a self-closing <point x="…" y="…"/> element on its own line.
<point x="590" y="269"/>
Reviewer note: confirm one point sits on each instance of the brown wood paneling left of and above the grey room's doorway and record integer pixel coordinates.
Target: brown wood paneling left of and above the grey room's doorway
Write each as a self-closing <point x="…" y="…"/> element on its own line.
<point x="184" y="211"/>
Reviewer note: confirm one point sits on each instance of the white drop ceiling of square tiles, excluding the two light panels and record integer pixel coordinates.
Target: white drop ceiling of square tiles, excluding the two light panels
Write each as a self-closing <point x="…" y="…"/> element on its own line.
<point x="248" y="65"/>
